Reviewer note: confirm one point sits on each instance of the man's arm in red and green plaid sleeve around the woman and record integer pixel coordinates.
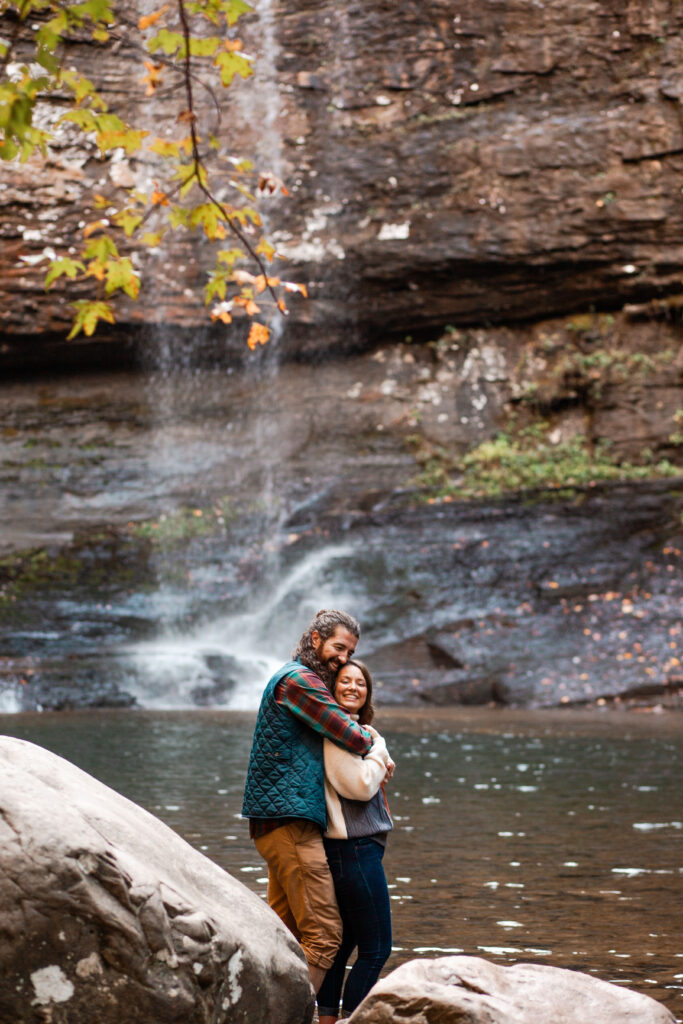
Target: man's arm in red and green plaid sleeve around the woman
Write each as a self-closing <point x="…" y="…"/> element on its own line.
<point x="306" y="696"/>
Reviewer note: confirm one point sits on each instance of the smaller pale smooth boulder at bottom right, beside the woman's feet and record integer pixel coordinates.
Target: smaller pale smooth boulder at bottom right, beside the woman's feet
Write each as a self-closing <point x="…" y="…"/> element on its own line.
<point x="471" y="991"/>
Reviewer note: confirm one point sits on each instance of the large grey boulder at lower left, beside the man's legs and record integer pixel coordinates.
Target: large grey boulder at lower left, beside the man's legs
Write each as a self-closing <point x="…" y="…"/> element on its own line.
<point x="110" y="917"/>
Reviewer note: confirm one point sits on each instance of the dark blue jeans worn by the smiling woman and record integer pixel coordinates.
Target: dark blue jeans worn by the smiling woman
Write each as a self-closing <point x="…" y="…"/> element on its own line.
<point x="364" y="905"/>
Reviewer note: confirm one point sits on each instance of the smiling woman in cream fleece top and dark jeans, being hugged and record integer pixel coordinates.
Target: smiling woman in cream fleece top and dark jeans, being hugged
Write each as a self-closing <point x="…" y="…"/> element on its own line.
<point x="358" y="825"/>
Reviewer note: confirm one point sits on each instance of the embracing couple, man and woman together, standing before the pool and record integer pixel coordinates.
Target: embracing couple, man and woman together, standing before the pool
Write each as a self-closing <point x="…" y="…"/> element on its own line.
<point x="318" y="815"/>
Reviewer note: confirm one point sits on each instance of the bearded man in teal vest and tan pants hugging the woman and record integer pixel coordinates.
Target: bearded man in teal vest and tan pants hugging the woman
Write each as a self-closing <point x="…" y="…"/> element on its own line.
<point x="285" y="791"/>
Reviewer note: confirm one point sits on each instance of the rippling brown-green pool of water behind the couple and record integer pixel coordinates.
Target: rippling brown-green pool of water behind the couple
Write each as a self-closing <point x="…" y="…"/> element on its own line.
<point x="551" y="838"/>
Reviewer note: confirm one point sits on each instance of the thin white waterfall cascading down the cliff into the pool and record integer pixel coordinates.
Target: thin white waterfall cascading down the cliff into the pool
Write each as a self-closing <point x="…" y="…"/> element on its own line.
<point x="207" y="450"/>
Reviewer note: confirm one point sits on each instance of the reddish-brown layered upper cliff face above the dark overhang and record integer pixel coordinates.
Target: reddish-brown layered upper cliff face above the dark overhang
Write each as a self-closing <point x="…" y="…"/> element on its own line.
<point x="449" y="163"/>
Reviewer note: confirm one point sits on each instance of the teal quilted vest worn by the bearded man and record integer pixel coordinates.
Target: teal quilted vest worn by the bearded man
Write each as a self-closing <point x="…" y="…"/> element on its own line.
<point x="286" y="775"/>
